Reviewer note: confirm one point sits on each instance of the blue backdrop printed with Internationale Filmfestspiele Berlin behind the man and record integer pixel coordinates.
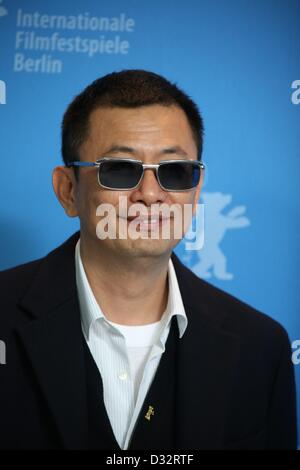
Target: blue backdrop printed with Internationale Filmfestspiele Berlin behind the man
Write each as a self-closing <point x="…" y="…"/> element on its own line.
<point x="239" y="60"/>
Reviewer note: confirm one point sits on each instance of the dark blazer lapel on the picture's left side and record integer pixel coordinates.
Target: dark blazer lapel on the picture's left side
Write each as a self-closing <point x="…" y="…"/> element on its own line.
<point x="52" y="339"/>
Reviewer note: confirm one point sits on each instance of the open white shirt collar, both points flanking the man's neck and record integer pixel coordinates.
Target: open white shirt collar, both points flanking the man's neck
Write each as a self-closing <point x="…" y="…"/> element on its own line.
<point x="91" y="311"/>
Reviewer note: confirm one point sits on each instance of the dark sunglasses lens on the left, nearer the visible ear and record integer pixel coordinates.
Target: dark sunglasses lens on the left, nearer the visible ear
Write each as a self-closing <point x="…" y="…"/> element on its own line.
<point x="119" y="174"/>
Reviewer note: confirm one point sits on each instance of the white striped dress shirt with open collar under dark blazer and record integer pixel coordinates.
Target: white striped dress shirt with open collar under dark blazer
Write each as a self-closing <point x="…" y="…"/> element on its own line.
<point x="127" y="356"/>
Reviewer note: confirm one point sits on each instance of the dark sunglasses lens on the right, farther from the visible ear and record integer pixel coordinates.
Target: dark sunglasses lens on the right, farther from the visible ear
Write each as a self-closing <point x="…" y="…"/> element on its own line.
<point x="179" y="176"/>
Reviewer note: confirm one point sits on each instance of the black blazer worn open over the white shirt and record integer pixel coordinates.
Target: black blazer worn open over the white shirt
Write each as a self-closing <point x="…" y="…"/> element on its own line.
<point x="235" y="384"/>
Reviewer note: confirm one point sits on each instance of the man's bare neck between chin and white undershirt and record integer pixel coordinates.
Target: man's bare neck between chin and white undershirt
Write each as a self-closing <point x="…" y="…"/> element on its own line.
<point x="131" y="292"/>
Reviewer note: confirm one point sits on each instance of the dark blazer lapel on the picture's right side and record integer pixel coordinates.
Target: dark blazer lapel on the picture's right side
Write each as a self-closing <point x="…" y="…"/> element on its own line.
<point x="207" y="357"/>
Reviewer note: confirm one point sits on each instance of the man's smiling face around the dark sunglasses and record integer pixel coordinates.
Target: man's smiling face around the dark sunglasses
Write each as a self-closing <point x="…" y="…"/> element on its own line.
<point x="150" y="134"/>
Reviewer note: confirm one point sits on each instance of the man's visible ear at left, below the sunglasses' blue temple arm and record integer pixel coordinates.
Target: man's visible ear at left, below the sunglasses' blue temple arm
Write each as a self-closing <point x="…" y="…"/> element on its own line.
<point x="64" y="185"/>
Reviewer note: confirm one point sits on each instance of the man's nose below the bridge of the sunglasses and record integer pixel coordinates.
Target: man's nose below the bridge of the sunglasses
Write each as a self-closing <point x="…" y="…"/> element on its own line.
<point x="149" y="190"/>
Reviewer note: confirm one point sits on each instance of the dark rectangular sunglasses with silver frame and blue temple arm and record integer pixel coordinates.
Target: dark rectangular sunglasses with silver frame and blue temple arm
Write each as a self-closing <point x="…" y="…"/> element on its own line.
<point x="125" y="173"/>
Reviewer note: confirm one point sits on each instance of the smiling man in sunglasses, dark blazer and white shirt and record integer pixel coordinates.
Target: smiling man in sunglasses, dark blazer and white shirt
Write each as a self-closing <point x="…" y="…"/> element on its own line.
<point x="111" y="342"/>
